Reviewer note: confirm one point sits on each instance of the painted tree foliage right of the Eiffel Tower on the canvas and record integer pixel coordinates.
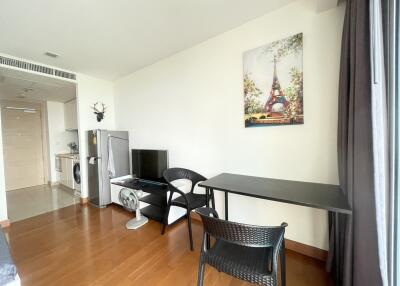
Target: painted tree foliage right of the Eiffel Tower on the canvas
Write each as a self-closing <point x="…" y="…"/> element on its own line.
<point x="294" y="94"/>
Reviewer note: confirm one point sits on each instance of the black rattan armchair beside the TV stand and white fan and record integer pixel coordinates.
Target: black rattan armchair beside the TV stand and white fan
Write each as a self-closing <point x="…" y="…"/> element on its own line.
<point x="189" y="201"/>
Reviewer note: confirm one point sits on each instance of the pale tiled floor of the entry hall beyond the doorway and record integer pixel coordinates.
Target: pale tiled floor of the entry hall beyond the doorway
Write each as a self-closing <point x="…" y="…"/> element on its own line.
<point x="32" y="201"/>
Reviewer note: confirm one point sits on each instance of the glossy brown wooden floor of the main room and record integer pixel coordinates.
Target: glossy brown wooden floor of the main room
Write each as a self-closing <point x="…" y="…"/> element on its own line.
<point x="88" y="246"/>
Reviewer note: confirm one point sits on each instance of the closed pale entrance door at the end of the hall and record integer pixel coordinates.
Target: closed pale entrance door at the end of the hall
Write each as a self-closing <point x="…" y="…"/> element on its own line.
<point x="22" y="145"/>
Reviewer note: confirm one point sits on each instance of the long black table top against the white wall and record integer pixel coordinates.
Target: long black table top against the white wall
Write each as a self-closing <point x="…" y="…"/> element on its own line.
<point x="315" y="195"/>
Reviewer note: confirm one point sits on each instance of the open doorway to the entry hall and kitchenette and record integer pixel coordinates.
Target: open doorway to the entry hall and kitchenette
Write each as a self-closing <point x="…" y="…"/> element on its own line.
<point x="40" y="138"/>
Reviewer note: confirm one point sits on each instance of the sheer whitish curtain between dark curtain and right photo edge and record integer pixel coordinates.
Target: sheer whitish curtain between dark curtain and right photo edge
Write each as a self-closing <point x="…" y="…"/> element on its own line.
<point x="380" y="134"/>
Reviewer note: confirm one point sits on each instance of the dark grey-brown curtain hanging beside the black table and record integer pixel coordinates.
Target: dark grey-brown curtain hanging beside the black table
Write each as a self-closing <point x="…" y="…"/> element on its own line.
<point x="354" y="248"/>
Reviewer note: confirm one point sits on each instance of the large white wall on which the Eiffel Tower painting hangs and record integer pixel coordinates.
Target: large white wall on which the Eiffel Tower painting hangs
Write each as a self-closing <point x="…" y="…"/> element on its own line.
<point x="192" y="105"/>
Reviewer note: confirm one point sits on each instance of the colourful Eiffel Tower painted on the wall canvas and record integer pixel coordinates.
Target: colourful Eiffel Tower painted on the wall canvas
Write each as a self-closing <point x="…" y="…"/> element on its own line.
<point x="276" y="102"/>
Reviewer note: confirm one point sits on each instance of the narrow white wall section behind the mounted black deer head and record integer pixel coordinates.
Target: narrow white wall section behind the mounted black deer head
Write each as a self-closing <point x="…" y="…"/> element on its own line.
<point x="89" y="91"/>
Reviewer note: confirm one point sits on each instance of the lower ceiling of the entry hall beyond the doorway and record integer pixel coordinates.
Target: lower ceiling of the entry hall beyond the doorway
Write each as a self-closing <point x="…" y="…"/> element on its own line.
<point x="28" y="86"/>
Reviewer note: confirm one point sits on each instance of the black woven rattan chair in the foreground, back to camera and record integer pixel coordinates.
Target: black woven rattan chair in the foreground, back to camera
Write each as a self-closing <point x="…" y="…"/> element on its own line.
<point x="247" y="252"/>
